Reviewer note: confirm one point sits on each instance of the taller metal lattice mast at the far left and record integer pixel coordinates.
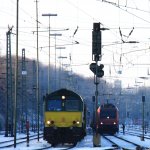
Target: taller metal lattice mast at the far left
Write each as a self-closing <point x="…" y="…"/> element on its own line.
<point x="9" y="109"/>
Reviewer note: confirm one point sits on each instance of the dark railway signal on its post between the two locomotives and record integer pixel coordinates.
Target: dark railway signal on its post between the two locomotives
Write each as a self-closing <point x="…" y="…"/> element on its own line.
<point x="98" y="73"/>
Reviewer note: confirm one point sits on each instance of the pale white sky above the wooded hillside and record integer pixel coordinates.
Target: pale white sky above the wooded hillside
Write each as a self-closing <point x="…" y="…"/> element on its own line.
<point x="125" y="46"/>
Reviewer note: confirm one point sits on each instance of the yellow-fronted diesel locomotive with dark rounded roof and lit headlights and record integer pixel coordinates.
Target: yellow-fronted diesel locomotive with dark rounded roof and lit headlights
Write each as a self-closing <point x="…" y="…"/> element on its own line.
<point x="65" y="117"/>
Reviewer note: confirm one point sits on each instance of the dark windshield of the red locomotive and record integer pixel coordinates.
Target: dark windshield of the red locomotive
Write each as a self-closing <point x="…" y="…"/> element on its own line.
<point x="108" y="113"/>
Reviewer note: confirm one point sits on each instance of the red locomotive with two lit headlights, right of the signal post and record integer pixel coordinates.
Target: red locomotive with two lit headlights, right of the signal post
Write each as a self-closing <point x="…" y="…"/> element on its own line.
<point x="108" y="119"/>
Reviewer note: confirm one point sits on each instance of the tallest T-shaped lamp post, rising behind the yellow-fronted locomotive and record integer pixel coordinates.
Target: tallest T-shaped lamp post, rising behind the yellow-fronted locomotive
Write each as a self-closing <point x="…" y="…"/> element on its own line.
<point x="49" y="15"/>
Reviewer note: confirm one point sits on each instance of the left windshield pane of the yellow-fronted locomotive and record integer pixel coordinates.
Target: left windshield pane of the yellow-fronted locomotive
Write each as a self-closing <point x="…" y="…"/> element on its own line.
<point x="54" y="105"/>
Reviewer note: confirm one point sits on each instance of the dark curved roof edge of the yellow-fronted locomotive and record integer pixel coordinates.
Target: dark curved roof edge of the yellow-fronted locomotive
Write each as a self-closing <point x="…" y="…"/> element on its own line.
<point x="65" y="92"/>
